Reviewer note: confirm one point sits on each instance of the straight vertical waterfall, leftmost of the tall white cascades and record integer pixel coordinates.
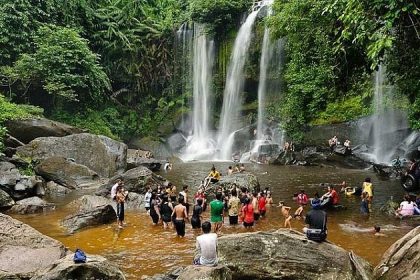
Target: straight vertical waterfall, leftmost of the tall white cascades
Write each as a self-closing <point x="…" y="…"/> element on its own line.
<point x="200" y="142"/>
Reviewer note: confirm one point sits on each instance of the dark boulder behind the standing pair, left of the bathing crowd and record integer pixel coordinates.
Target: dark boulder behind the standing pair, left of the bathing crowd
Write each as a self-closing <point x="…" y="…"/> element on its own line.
<point x="135" y="180"/>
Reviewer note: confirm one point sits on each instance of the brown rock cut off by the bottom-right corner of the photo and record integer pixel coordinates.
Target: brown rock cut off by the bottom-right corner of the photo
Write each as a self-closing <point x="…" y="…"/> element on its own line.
<point x="402" y="259"/>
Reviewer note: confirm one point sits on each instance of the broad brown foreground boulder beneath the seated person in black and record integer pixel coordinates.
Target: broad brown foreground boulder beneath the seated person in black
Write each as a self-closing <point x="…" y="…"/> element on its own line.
<point x="286" y="254"/>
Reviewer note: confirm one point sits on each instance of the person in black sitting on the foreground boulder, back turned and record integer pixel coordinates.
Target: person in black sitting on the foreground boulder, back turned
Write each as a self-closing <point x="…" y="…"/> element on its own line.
<point x="316" y="221"/>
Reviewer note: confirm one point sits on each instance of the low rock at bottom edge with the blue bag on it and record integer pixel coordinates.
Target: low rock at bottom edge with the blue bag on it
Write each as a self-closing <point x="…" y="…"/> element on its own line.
<point x="96" y="267"/>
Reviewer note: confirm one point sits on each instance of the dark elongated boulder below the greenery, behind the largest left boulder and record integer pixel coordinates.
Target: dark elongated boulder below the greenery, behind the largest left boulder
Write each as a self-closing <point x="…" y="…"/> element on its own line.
<point x="29" y="129"/>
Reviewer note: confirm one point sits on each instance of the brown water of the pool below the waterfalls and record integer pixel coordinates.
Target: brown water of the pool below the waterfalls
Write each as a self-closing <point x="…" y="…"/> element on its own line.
<point x="141" y="249"/>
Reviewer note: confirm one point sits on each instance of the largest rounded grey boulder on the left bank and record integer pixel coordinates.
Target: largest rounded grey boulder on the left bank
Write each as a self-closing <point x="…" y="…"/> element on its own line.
<point x="101" y="154"/>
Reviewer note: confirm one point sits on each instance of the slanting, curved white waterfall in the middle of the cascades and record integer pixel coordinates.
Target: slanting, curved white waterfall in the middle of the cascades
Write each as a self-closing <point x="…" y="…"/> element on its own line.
<point x="230" y="117"/>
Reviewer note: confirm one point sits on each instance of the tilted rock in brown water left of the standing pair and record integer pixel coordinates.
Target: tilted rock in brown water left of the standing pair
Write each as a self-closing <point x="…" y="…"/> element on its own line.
<point x="100" y="215"/>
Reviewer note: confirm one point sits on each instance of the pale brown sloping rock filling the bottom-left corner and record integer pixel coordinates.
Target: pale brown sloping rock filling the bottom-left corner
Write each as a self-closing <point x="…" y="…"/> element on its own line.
<point x="25" y="250"/>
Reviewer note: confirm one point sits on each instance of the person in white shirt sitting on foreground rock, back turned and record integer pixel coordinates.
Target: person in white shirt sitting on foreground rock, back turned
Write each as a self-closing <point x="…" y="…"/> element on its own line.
<point x="206" y="246"/>
